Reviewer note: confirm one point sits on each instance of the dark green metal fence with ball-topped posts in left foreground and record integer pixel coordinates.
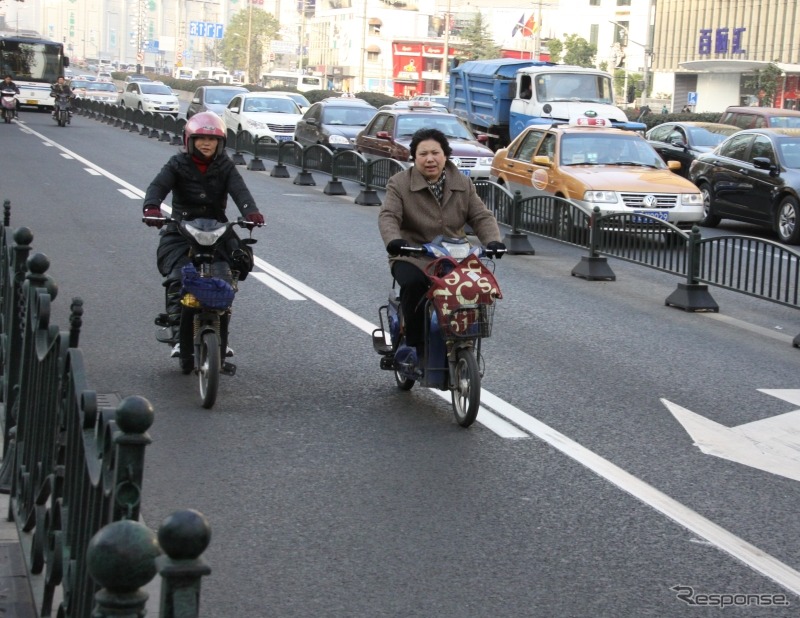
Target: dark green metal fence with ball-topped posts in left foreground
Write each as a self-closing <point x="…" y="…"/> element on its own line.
<point x="73" y="462"/>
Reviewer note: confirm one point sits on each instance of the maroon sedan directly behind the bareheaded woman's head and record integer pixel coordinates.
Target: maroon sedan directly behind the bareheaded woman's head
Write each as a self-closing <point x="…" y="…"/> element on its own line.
<point x="389" y="135"/>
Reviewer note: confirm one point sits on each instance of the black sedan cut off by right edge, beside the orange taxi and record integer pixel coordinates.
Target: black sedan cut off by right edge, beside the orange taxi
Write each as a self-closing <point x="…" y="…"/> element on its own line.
<point x="753" y="176"/>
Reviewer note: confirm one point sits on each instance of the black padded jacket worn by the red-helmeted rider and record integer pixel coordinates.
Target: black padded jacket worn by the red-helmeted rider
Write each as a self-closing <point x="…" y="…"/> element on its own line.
<point x="196" y="195"/>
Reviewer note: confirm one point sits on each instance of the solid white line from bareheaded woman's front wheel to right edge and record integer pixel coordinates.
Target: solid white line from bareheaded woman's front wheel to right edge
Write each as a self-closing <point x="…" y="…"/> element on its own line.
<point x="751" y="555"/>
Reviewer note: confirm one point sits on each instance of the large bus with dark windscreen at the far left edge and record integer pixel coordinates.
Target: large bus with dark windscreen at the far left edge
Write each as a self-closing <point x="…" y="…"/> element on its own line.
<point x="34" y="64"/>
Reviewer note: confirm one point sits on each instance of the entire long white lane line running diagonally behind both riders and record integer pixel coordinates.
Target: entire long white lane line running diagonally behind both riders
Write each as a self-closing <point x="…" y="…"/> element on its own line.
<point x="721" y="538"/>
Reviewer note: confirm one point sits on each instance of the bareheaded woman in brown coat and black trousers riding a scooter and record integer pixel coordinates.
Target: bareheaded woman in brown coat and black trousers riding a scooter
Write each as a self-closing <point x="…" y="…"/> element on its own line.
<point x="430" y="198"/>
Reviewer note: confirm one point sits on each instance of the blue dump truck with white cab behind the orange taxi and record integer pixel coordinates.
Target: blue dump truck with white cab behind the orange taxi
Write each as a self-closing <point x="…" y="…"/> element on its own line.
<point x="500" y="97"/>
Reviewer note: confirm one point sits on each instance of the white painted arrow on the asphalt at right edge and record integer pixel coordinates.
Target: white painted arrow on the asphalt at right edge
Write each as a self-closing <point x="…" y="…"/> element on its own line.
<point x="771" y="444"/>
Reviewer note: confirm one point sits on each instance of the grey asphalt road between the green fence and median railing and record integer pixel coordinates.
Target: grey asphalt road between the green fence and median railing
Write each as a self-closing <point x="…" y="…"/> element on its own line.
<point x="579" y="492"/>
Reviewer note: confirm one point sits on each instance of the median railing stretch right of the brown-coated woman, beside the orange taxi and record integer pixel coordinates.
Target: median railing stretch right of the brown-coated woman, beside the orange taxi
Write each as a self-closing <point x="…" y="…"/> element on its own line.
<point x="757" y="267"/>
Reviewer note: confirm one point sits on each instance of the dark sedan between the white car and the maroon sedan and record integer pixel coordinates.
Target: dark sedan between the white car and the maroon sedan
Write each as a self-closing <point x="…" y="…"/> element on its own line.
<point x="334" y="123"/>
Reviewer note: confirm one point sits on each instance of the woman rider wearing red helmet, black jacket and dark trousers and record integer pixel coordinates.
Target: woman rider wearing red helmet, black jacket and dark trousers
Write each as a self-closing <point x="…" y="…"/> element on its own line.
<point x="200" y="179"/>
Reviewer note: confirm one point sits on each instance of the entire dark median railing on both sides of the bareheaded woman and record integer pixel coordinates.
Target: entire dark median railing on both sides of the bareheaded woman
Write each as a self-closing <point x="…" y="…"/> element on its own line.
<point x="757" y="267"/>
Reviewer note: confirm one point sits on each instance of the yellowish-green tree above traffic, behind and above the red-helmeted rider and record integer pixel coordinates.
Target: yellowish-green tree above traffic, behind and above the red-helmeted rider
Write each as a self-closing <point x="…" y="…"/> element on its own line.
<point x="262" y="28"/>
